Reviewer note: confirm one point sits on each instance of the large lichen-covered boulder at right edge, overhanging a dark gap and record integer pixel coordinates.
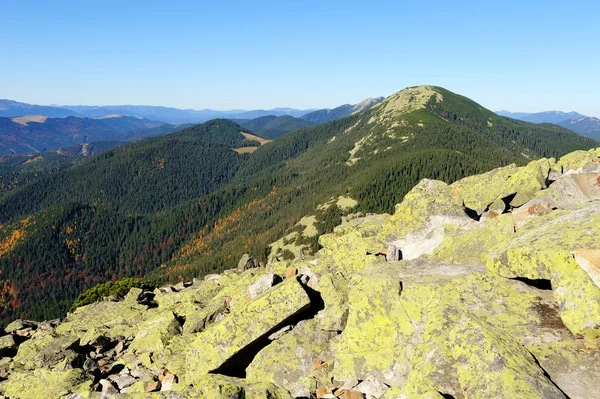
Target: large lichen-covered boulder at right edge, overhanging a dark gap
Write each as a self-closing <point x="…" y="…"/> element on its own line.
<point x="542" y="249"/>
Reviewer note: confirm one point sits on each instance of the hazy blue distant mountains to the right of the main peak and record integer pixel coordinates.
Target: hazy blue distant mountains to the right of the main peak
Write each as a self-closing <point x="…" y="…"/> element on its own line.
<point x="584" y="125"/>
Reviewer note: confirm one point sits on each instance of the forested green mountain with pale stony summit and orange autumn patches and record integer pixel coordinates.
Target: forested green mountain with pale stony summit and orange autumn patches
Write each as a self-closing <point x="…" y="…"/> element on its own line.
<point x="185" y="205"/>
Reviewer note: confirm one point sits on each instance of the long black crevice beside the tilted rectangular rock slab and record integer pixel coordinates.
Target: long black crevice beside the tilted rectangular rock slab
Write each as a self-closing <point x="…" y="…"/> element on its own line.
<point x="236" y="365"/>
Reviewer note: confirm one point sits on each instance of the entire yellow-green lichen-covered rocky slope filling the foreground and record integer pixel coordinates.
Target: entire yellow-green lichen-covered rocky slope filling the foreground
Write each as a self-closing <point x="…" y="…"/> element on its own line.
<point x="489" y="287"/>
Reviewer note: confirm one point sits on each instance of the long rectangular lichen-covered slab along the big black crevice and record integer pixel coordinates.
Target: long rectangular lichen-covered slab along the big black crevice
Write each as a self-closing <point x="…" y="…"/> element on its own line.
<point x="224" y="339"/>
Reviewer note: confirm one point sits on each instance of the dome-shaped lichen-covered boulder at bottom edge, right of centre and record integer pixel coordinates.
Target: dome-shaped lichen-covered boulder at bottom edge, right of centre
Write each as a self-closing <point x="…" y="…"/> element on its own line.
<point x="470" y="359"/>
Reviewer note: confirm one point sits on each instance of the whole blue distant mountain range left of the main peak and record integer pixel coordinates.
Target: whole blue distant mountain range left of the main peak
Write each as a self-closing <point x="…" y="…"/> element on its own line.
<point x="27" y="129"/>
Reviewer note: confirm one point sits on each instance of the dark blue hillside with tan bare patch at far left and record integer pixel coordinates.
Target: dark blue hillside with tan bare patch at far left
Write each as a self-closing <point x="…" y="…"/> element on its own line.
<point x="34" y="134"/>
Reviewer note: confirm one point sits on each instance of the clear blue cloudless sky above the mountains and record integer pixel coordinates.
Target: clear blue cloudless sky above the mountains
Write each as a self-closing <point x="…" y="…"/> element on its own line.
<point x="516" y="55"/>
